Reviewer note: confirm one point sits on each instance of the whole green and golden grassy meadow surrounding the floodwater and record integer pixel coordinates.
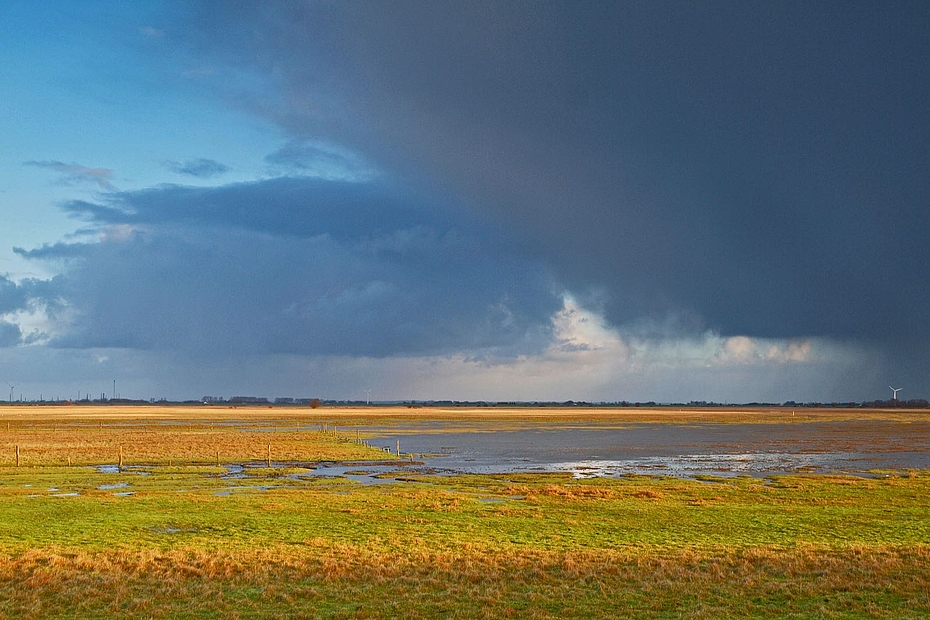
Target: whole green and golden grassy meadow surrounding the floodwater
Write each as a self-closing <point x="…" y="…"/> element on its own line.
<point x="170" y="536"/>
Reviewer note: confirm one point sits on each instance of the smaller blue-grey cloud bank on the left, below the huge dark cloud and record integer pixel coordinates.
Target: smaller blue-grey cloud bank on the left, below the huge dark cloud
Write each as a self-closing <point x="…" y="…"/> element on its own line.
<point x="295" y="266"/>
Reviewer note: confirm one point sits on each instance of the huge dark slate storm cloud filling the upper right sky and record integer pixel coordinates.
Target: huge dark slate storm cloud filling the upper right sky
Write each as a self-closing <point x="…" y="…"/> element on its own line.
<point x="753" y="168"/>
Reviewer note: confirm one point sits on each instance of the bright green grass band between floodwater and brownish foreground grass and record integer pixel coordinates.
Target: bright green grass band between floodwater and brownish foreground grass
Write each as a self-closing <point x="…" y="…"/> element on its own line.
<point x="542" y="512"/>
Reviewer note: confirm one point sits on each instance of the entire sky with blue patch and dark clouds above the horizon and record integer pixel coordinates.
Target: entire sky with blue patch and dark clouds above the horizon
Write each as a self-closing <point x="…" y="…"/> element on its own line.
<point x="598" y="201"/>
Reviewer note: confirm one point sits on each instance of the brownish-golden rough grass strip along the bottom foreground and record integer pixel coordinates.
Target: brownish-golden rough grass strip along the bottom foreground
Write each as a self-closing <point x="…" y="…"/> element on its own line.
<point x="323" y="579"/>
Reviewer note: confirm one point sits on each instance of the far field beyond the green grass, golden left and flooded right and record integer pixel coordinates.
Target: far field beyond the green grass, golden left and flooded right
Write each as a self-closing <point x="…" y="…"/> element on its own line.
<point x="586" y="442"/>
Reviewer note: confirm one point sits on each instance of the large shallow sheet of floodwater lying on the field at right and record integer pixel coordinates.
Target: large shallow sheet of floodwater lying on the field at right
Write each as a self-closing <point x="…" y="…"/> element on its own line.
<point x="683" y="450"/>
